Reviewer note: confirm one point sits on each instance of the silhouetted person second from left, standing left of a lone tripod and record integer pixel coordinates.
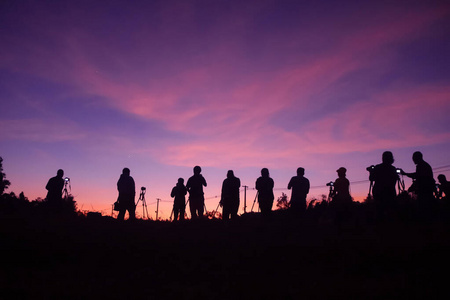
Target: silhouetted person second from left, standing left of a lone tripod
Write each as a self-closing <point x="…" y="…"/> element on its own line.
<point x="127" y="193"/>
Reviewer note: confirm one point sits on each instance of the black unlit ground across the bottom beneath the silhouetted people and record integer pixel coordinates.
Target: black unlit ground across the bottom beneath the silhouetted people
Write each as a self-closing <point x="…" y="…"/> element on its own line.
<point x="284" y="258"/>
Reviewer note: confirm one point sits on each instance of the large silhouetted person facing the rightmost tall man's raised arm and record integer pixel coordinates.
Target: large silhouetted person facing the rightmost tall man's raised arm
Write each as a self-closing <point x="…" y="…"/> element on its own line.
<point x="385" y="177"/>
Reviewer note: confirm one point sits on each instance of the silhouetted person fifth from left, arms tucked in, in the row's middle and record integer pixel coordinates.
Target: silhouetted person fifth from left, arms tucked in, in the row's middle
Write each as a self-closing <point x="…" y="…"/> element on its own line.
<point x="230" y="196"/>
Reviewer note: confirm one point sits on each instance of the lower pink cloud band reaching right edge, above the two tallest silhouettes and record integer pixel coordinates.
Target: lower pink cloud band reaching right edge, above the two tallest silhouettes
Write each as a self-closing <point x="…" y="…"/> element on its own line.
<point x="394" y="119"/>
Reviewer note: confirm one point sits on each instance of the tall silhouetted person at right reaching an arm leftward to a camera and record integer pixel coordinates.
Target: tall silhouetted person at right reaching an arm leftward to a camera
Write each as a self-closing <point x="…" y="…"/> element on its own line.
<point x="424" y="183"/>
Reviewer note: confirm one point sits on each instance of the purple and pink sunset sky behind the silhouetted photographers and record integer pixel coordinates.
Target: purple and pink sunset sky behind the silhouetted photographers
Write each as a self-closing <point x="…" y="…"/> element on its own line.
<point x="92" y="87"/>
